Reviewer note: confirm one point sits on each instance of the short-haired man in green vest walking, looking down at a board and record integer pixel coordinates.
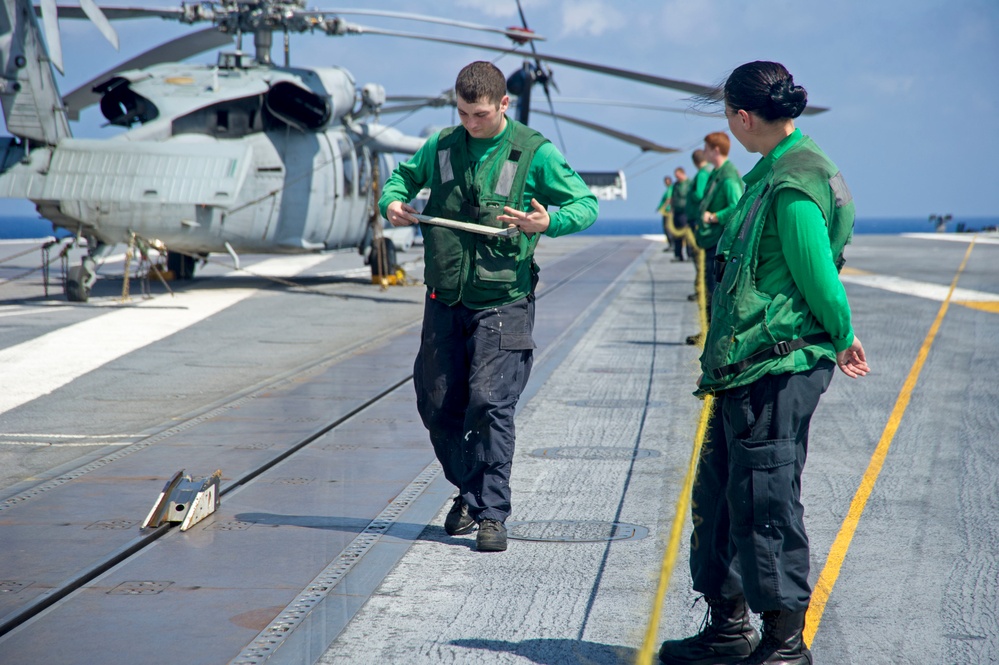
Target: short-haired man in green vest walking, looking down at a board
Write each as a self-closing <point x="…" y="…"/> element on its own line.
<point x="477" y="347"/>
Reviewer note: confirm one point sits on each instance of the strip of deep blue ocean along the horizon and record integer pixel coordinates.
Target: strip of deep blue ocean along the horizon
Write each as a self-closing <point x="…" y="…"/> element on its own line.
<point x="32" y="227"/>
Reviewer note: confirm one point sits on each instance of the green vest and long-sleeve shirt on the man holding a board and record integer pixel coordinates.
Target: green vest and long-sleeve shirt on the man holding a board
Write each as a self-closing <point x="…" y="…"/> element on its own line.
<point x="482" y="271"/>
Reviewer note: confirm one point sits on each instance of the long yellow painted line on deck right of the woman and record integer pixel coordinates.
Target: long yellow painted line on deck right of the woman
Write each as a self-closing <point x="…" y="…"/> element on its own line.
<point x="837" y="553"/>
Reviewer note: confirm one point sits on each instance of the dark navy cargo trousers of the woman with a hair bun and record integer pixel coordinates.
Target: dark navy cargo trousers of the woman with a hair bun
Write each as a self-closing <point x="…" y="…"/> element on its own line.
<point x="749" y="535"/>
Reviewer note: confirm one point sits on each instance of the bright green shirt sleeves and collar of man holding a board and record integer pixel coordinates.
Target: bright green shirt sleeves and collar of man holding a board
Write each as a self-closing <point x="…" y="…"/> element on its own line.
<point x="551" y="181"/>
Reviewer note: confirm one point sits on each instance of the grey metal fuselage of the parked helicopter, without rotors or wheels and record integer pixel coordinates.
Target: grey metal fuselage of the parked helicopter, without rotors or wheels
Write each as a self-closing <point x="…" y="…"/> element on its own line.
<point x="254" y="157"/>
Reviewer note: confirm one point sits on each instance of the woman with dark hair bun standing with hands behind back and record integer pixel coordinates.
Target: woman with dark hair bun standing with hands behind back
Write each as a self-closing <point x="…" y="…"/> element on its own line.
<point x="780" y="325"/>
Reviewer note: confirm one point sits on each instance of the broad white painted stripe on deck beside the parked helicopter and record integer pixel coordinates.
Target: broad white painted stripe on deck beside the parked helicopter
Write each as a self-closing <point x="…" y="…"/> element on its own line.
<point x="63" y="355"/>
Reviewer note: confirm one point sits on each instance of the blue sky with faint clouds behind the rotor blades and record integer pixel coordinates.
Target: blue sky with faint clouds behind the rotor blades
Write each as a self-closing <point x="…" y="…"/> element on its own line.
<point x="913" y="85"/>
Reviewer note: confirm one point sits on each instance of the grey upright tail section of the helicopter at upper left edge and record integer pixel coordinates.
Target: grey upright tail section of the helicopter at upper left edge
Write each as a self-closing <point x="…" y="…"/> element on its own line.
<point x="31" y="104"/>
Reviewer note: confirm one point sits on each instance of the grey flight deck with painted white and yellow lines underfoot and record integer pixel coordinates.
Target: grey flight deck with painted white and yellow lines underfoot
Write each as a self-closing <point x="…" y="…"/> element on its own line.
<point x="292" y="377"/>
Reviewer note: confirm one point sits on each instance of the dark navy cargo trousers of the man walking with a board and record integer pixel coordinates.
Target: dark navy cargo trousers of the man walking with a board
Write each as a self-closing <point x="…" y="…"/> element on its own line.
<point x="469" y="373"/>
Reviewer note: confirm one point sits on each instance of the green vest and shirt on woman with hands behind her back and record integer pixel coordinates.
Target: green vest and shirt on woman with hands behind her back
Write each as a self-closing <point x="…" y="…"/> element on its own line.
<point x="783" y="247"/>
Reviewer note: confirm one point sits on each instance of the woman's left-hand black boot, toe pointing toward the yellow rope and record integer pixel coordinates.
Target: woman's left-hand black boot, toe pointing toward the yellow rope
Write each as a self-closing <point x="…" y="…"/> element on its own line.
<point x="726" y="637"/>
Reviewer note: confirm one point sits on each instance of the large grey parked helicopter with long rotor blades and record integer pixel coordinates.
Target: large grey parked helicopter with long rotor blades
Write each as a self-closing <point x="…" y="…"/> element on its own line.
<point x="245" y="156"/>
